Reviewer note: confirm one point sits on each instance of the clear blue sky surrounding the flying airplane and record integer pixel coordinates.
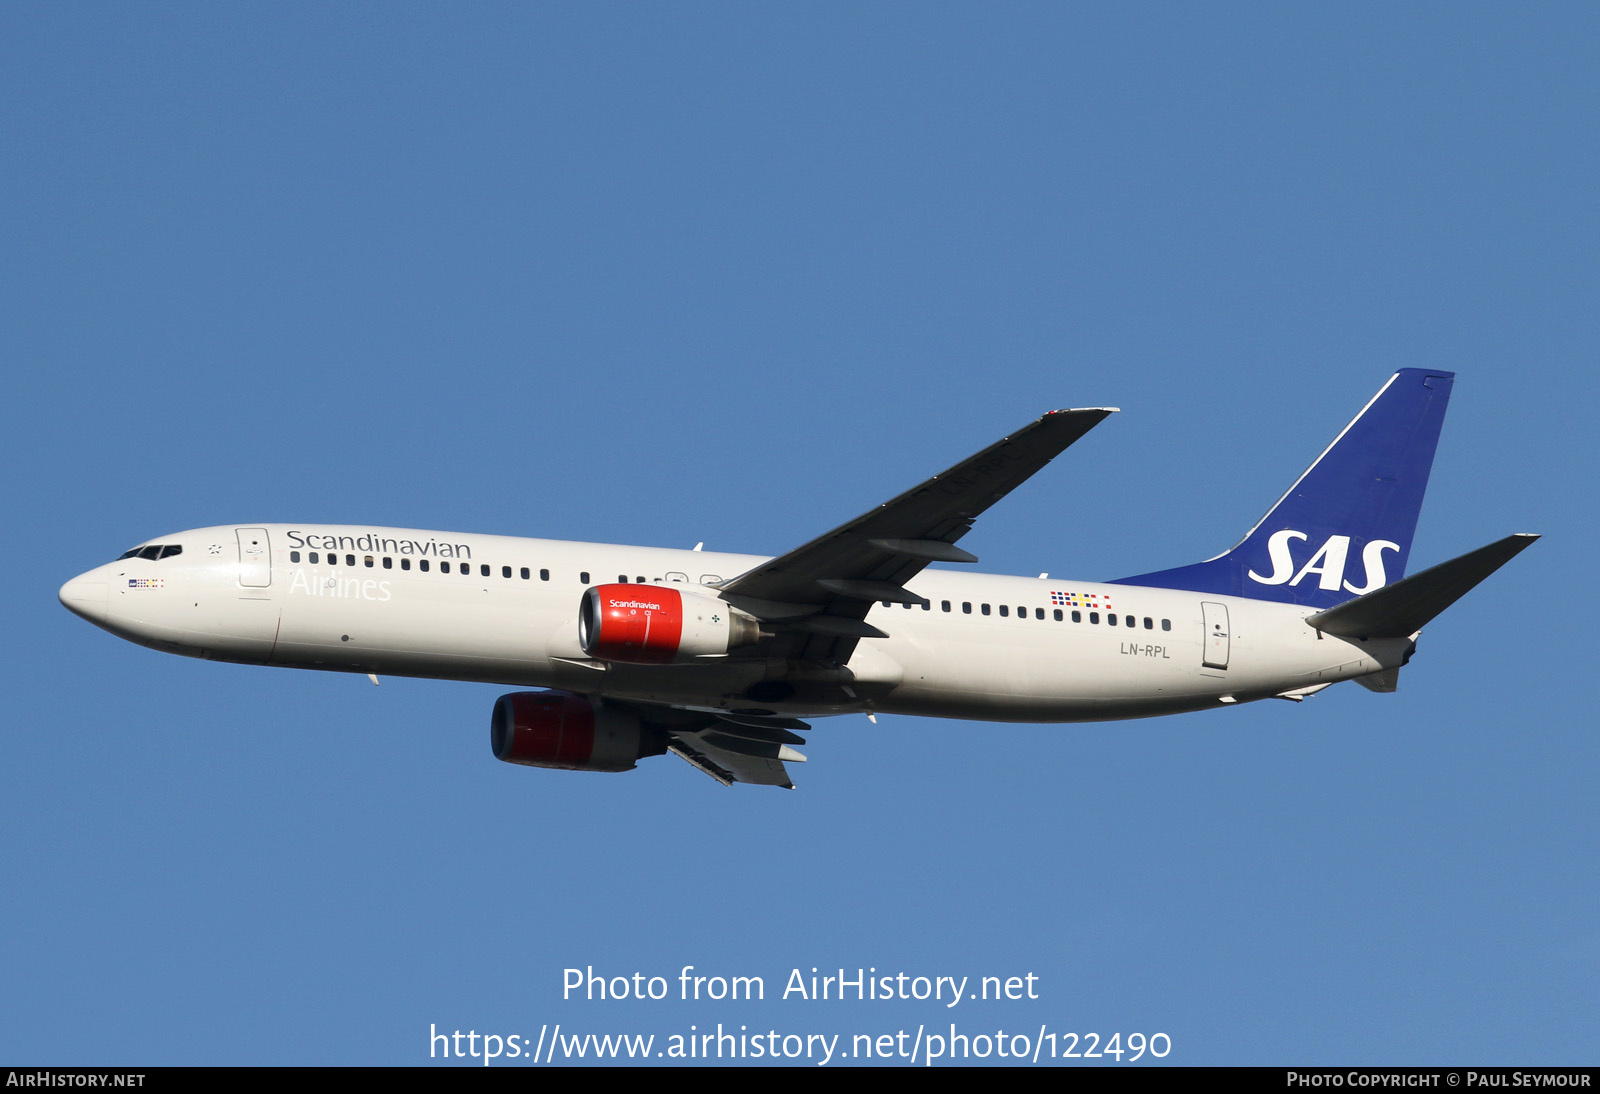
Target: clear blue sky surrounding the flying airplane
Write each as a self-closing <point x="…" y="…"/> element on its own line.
<point x="735" y="274"/>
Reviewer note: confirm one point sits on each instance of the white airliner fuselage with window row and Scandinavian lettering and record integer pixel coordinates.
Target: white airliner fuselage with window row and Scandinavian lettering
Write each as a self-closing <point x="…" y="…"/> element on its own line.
<point x="505" y="610"/>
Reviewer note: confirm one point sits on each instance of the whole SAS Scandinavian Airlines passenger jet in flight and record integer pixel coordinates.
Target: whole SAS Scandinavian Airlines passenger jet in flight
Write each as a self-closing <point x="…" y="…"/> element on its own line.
<point x="719" y="658"/>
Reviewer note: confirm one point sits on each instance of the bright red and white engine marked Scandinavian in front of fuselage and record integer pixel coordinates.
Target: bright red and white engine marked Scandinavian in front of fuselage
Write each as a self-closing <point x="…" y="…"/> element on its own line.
<point x="658" y="625"/>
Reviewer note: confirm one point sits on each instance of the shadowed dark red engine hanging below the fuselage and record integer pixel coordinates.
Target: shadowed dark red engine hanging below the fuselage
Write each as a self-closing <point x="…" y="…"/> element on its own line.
<point x="567" y="732"/>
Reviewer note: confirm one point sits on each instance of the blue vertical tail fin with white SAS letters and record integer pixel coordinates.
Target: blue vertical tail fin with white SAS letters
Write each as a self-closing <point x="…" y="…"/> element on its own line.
<point x="1345" y="527"/>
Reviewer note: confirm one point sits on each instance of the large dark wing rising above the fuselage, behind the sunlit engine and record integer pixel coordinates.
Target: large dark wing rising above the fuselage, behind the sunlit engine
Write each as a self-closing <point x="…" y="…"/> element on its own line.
<point x="818" y="596"/>
